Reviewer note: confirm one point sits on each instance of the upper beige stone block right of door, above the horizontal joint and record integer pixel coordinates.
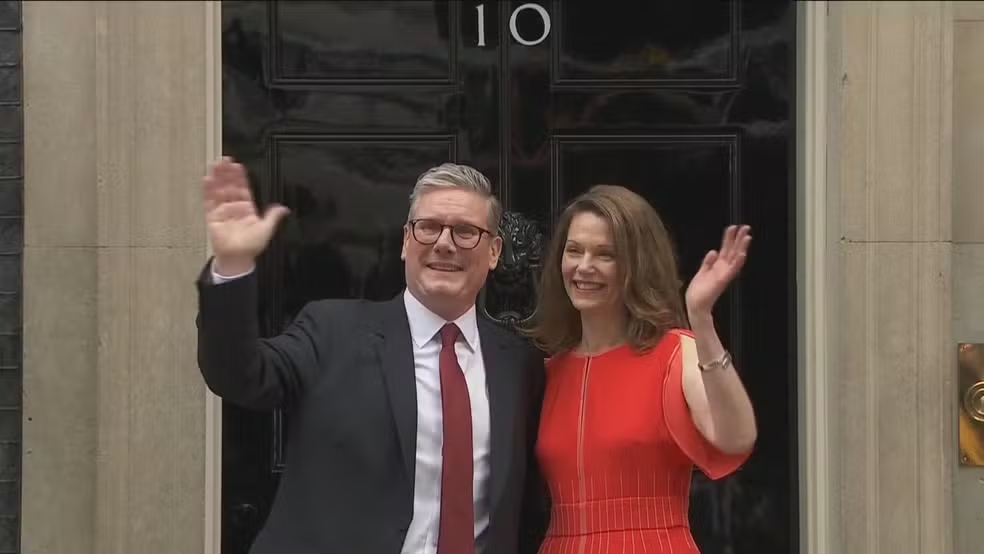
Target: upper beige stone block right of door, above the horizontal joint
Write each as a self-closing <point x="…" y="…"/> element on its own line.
<point x="894" y="160"/>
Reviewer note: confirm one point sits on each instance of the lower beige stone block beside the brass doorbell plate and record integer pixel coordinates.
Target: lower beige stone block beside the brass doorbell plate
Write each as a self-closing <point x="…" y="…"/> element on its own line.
<point x="895" y="386"/>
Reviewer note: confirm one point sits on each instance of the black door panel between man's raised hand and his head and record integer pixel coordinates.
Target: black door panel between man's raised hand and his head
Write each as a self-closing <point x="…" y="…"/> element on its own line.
<point x="342" y="236"/>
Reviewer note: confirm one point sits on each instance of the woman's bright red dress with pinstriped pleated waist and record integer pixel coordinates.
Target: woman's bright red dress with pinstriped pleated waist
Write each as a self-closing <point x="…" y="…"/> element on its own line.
<point x="617" y="446"/>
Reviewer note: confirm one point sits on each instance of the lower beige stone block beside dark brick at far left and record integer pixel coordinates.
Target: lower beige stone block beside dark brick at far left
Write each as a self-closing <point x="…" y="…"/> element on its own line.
<point x="60" y="400"/>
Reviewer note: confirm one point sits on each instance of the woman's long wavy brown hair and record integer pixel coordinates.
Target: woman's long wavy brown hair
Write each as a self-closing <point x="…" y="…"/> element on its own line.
<point x="646" y="263"/>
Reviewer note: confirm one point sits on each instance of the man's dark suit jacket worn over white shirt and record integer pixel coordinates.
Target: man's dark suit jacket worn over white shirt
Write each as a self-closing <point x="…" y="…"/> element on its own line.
<point x="344" y="371"/>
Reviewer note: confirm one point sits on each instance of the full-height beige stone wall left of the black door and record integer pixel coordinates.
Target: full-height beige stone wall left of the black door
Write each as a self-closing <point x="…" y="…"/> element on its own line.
<point x="117" y="120"/>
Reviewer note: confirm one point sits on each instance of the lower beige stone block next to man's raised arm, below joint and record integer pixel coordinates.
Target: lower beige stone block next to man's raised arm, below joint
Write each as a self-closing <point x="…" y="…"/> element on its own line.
<point x="168" y="468"/>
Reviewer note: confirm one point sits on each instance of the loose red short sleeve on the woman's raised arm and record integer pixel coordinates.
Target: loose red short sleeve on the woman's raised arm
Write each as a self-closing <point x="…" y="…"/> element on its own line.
<point x="713" y="462"/>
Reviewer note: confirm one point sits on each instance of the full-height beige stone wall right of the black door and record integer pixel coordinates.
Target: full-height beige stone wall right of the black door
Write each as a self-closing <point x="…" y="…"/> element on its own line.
<point x="892" y="353"/>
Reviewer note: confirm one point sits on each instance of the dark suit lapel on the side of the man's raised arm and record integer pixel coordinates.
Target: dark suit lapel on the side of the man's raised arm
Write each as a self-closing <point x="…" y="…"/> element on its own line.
<point x="396" y="362"/>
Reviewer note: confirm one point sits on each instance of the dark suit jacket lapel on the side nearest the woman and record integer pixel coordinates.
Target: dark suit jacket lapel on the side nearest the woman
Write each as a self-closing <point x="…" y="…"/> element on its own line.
<point x="500" y="379"/>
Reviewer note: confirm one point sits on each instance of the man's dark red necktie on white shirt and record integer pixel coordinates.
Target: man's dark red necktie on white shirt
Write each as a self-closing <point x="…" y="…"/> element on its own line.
<point x="457" y="528"/>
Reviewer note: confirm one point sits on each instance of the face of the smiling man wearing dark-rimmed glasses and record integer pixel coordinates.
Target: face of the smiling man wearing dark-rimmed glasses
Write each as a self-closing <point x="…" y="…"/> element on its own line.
<point x="446" y="276"/>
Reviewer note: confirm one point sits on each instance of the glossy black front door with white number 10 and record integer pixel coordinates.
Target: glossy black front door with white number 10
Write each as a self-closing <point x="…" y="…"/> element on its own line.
<point x="335" y="108"/>
